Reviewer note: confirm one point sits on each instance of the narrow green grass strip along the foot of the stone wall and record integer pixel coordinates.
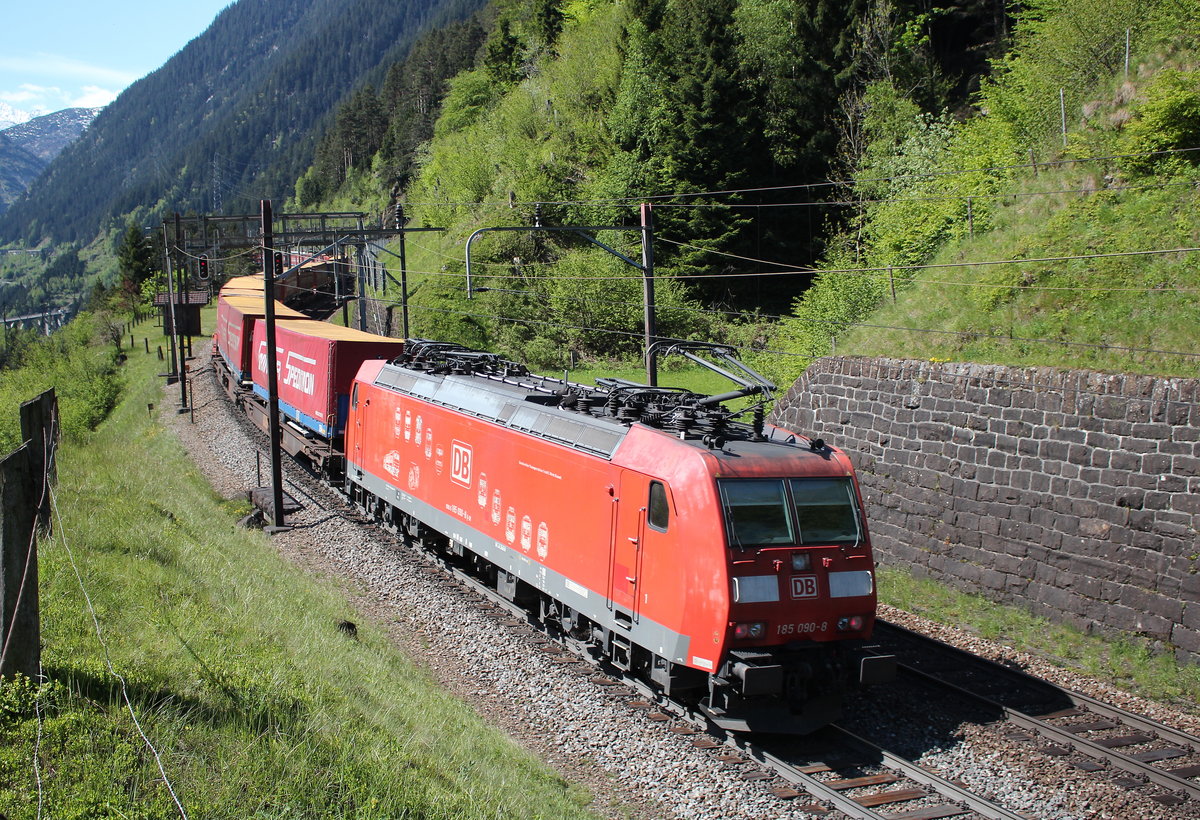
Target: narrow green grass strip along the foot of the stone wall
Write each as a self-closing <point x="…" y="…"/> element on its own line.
<point x="1129" y="663"/>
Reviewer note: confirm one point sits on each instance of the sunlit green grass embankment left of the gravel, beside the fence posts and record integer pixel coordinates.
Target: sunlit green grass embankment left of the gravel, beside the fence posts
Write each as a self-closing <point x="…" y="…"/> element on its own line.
<point x="257" y="704"/>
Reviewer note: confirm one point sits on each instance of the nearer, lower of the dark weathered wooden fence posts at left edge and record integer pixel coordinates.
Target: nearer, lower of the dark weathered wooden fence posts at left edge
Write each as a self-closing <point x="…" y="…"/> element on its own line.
<point x="20" y="624"/>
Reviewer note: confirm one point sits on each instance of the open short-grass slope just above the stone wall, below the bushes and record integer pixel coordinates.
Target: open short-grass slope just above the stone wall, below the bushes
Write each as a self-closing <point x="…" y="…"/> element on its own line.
<point x="1149" y="302"/>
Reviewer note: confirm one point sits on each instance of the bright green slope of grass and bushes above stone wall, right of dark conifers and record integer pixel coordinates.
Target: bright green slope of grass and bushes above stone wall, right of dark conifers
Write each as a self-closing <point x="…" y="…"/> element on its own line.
<point x="1057" y="228"/>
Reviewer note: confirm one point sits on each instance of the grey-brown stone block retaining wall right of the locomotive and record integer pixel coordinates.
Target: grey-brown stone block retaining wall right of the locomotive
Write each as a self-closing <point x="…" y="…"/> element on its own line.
<point x="1073" y="494"/>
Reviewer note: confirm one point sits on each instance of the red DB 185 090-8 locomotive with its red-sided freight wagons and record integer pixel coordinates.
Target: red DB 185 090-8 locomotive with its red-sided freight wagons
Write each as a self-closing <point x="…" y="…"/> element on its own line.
<point x="728" y="564"/>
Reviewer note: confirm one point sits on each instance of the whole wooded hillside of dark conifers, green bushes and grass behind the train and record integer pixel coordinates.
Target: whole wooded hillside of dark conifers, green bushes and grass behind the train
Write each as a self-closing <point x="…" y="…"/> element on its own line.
<point x="941" y="181"/>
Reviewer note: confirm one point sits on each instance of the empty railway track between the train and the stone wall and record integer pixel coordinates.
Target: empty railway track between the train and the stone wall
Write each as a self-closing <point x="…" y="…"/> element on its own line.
<point x="1131" y="750"/>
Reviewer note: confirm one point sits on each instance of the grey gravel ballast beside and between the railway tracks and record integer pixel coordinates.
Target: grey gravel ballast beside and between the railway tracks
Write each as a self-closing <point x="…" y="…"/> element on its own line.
<point x="633" y="765"/>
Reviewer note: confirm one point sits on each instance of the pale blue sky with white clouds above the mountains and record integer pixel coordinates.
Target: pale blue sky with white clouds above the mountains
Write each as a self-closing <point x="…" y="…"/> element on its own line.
<point x="58" y="55"/>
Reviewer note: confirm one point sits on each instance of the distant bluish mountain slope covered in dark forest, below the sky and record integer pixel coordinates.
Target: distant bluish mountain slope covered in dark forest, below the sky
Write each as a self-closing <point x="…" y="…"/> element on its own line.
<point x="229" y="118"/>
